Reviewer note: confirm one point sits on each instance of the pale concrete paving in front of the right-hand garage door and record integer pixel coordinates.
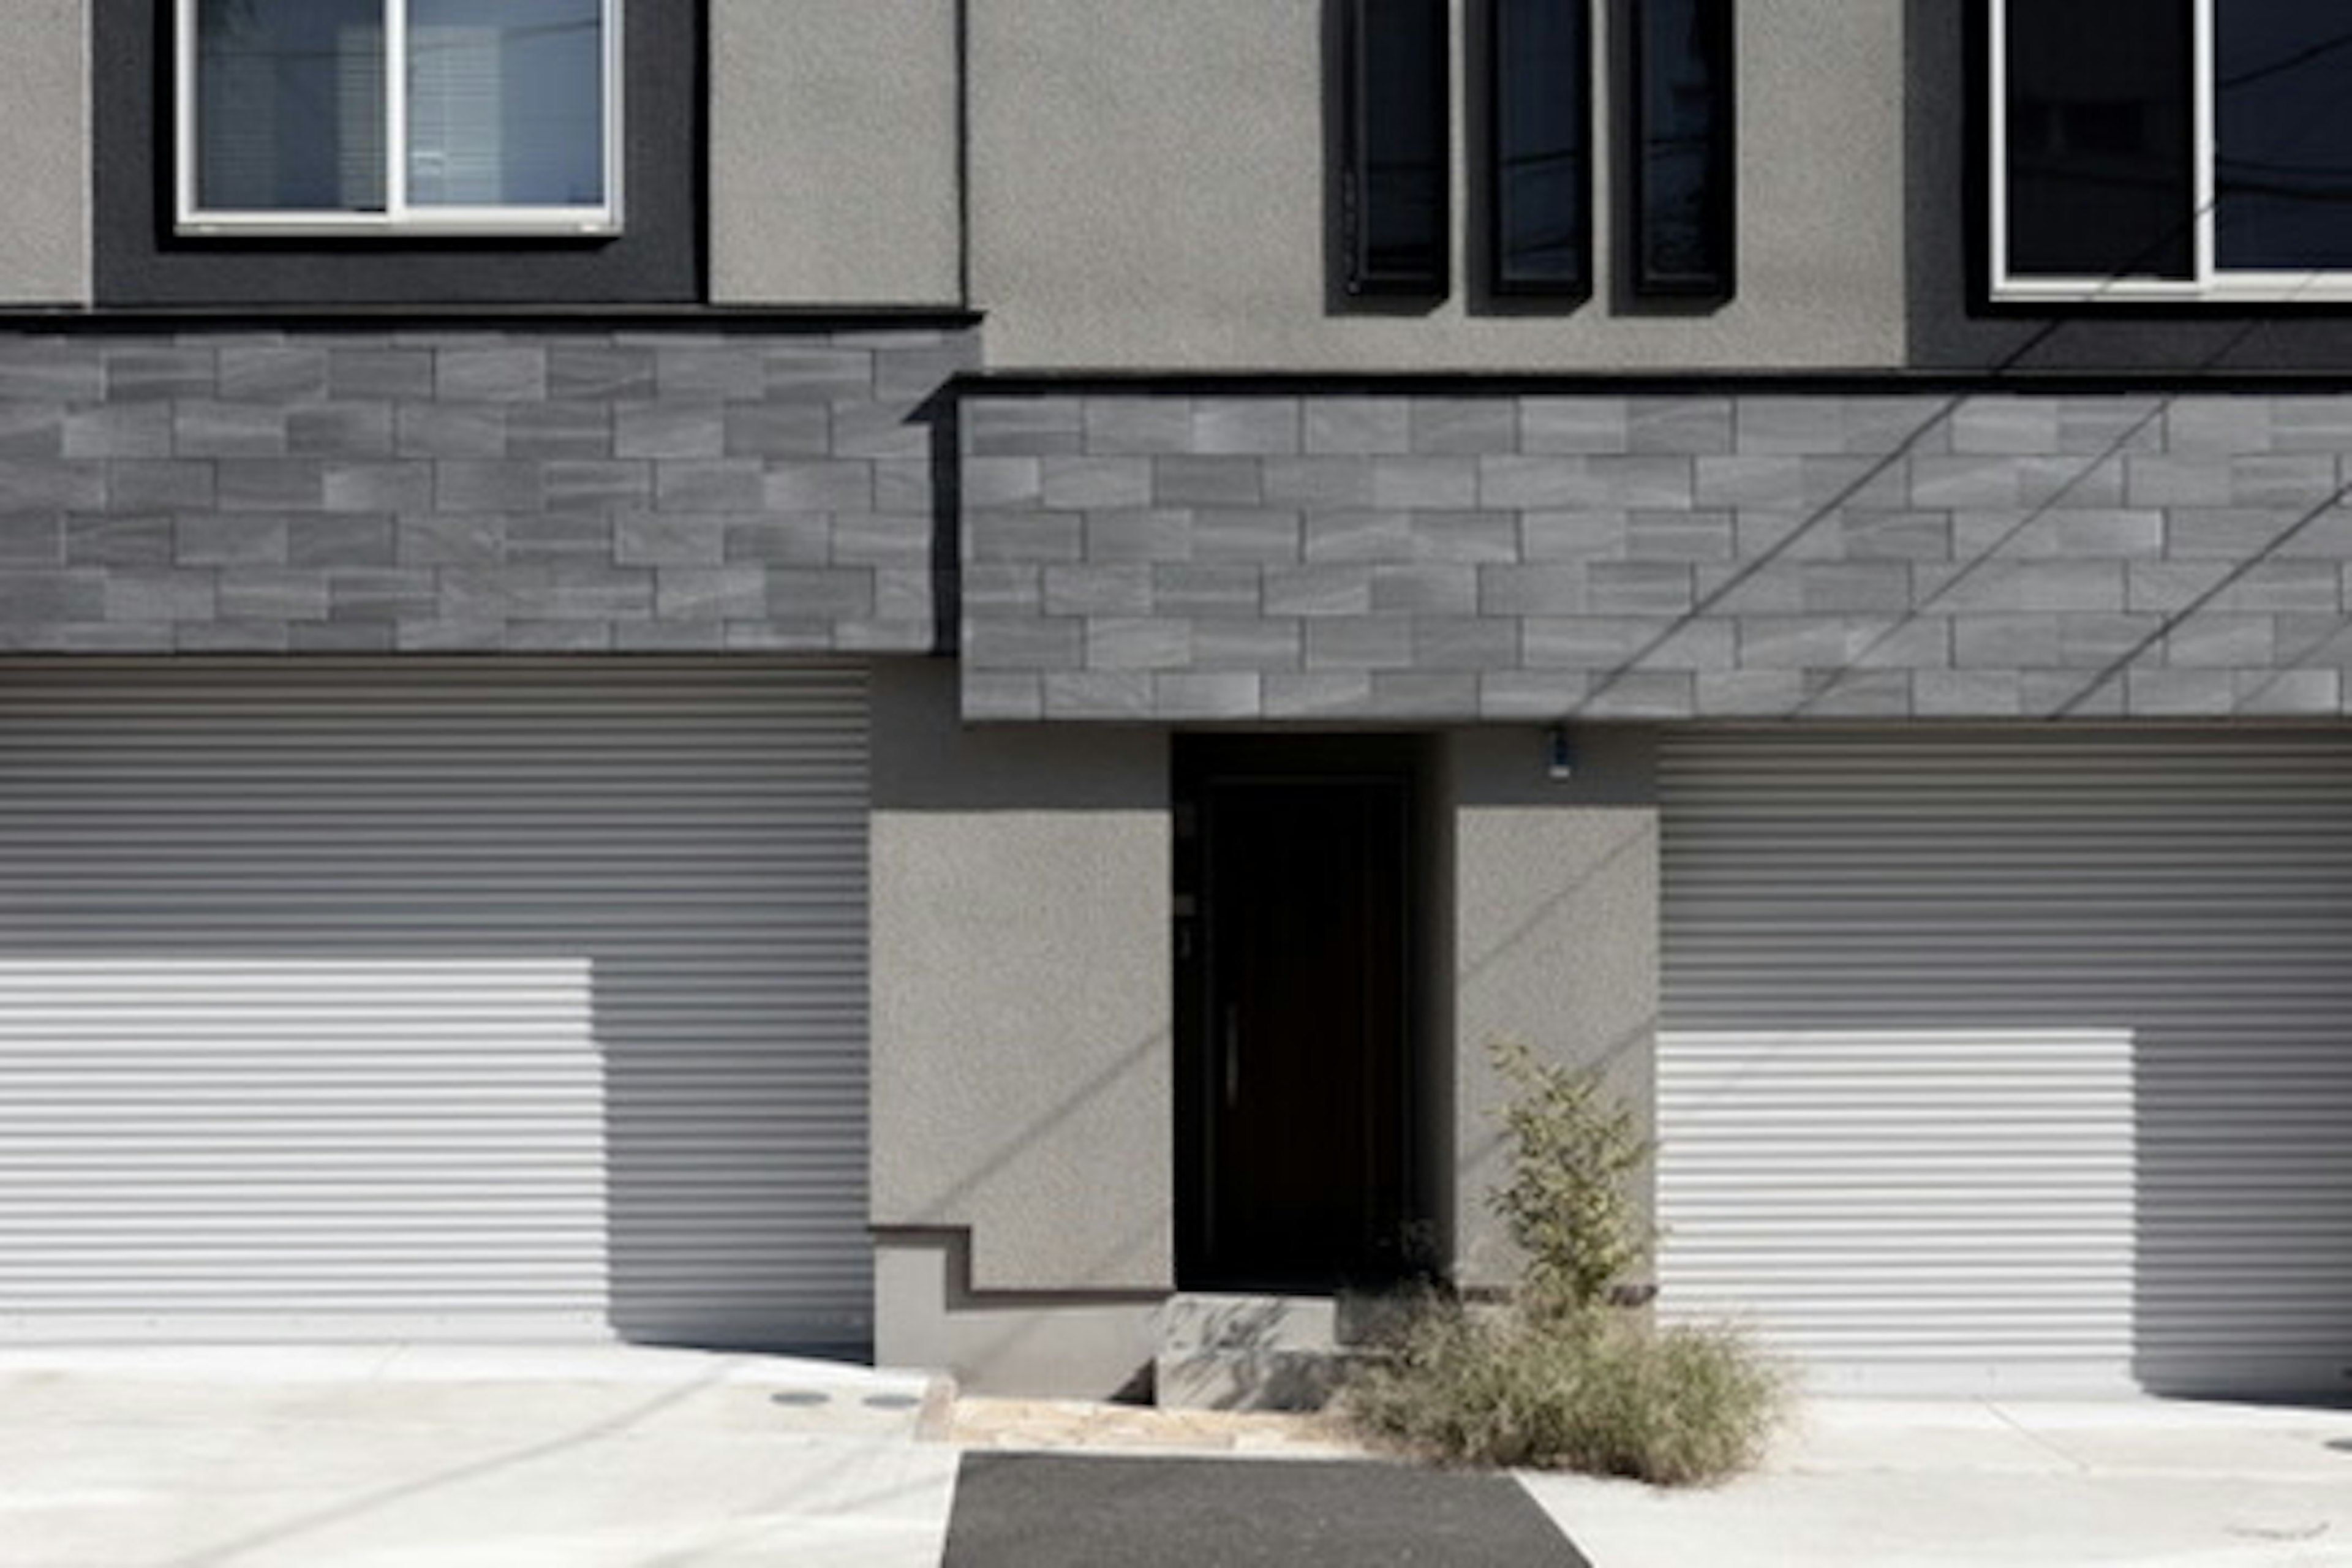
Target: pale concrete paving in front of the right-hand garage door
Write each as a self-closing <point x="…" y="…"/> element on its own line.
<point x="2019" y="1485"/>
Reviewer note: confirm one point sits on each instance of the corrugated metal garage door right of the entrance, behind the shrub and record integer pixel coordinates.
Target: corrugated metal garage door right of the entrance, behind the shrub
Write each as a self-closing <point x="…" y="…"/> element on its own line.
<point x="2014" y="1059"/>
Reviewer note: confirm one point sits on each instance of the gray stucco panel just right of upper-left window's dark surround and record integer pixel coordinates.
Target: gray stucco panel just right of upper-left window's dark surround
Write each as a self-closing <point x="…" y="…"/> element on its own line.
<point x="834" y="154"/>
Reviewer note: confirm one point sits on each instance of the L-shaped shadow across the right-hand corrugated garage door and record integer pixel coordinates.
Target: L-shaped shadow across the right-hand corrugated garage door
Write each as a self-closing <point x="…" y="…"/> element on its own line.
<point x="2186" y="887"/>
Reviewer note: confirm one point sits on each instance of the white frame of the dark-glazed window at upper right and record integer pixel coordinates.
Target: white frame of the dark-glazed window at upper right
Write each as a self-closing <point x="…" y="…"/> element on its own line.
<point x="2210" y="286"/>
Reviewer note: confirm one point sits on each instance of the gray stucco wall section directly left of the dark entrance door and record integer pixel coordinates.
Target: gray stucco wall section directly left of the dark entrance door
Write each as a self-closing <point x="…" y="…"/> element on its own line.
<point x="1024" y="991"/>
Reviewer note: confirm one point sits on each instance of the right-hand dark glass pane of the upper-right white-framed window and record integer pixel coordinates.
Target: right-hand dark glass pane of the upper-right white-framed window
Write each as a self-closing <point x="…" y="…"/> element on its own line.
<point x="2283" y="128"/>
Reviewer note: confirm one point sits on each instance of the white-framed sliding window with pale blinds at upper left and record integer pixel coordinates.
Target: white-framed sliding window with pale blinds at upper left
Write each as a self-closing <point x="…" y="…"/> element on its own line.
<point x="399" y="116"/>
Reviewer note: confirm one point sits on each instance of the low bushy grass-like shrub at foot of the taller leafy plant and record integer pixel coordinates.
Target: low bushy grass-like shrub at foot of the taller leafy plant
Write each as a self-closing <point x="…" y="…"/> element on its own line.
<point x="1593" y="1391"/>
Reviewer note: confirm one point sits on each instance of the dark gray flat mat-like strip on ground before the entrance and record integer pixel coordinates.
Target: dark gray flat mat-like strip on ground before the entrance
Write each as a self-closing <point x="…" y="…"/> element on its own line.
<point x="1038" y="1510"/>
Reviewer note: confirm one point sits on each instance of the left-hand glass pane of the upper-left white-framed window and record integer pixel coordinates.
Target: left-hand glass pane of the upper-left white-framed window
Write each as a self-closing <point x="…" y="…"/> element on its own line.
<point x="290" y="105"/>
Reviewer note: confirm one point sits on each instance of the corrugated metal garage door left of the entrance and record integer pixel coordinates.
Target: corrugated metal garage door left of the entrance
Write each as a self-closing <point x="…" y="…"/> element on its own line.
<point x="356" y="1000"/>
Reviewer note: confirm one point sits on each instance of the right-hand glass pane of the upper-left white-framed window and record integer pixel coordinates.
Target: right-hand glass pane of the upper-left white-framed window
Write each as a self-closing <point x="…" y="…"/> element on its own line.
<point x="507" y="105"/>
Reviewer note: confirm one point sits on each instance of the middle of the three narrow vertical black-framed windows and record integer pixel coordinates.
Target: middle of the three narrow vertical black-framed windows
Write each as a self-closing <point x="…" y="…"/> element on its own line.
<point x="1542" y="177"/>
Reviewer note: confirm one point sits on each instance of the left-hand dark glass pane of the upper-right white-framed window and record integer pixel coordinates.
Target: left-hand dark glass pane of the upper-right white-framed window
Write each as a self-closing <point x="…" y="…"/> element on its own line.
<point x="2102" y="140"/>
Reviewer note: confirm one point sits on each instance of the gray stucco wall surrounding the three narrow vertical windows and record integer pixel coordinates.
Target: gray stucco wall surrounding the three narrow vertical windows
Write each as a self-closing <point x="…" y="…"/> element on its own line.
<point x="1149" y="189"/>
